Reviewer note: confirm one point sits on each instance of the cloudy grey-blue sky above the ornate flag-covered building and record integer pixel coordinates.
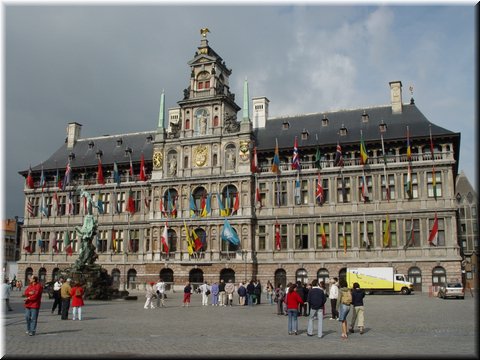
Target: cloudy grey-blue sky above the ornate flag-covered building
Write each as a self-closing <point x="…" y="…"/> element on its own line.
<point x="105" y="67"/>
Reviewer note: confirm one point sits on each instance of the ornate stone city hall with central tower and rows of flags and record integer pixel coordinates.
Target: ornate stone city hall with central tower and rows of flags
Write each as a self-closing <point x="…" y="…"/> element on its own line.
<point x="218" y="191"/>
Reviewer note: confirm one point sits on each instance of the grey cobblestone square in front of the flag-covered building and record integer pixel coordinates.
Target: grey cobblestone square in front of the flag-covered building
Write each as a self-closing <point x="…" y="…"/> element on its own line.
<point x="395" y="325"/>
